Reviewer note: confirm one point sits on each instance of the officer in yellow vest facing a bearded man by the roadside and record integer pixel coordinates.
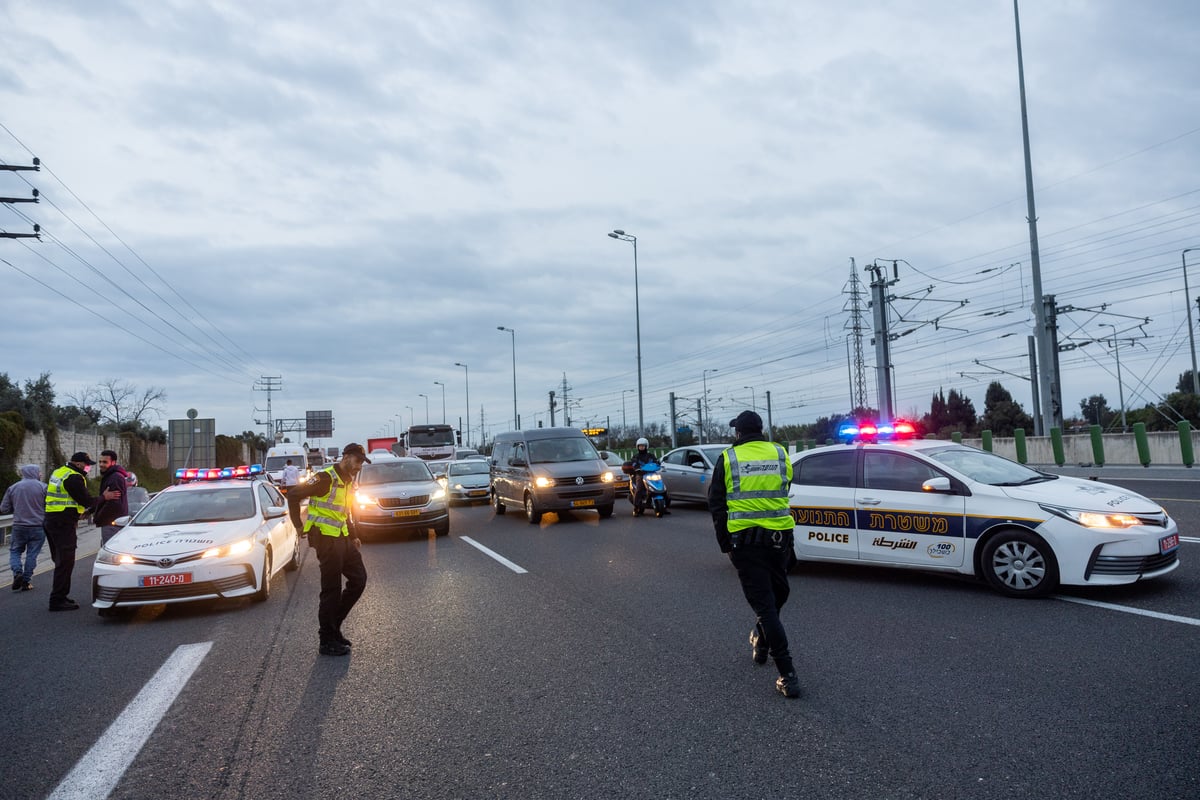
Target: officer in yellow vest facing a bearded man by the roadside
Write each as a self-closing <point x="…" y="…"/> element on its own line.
<point x="67" y="501"/>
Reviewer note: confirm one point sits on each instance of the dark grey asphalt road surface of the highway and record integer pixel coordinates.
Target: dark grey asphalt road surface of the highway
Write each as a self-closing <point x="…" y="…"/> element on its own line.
<point x="617" y="666"/>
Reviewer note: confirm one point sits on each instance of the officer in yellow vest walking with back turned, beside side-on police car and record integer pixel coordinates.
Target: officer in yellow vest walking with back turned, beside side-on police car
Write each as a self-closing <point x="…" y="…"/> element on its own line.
<point x="748" y="500"/>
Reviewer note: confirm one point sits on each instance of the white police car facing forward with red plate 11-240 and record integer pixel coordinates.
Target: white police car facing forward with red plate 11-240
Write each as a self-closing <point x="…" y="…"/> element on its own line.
<point x="219" y="534"/>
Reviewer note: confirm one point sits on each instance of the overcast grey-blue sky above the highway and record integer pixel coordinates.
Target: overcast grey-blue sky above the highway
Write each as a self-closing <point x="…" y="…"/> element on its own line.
<point x="353" y="197"/>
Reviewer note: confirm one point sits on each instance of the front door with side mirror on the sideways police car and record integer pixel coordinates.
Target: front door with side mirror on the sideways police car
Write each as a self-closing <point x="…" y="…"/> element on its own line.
<point x="899" y="522"/>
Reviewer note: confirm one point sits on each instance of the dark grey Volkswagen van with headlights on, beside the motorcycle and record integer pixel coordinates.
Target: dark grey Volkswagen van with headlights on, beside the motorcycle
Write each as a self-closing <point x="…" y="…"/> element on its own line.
<point x="550" y="470"/>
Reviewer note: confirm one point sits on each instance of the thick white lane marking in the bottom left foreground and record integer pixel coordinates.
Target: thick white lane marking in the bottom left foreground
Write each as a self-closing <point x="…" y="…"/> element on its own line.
<point x="97" y="774"/>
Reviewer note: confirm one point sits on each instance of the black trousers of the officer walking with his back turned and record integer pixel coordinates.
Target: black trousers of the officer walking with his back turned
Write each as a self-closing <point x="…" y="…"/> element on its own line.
<point x="763" y="570"/>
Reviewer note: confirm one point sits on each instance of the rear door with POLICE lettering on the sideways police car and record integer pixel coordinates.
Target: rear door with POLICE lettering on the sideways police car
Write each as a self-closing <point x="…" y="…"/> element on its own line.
<point x="823" y="503"/>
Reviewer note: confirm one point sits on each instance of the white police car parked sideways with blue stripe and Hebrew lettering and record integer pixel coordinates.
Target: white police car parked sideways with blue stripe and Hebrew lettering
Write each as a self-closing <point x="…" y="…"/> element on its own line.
<point x="940" y="506"/>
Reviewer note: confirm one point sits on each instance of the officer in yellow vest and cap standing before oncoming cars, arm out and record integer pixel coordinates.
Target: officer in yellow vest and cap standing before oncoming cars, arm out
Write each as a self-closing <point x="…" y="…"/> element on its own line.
<point x="339" y="555"/>
